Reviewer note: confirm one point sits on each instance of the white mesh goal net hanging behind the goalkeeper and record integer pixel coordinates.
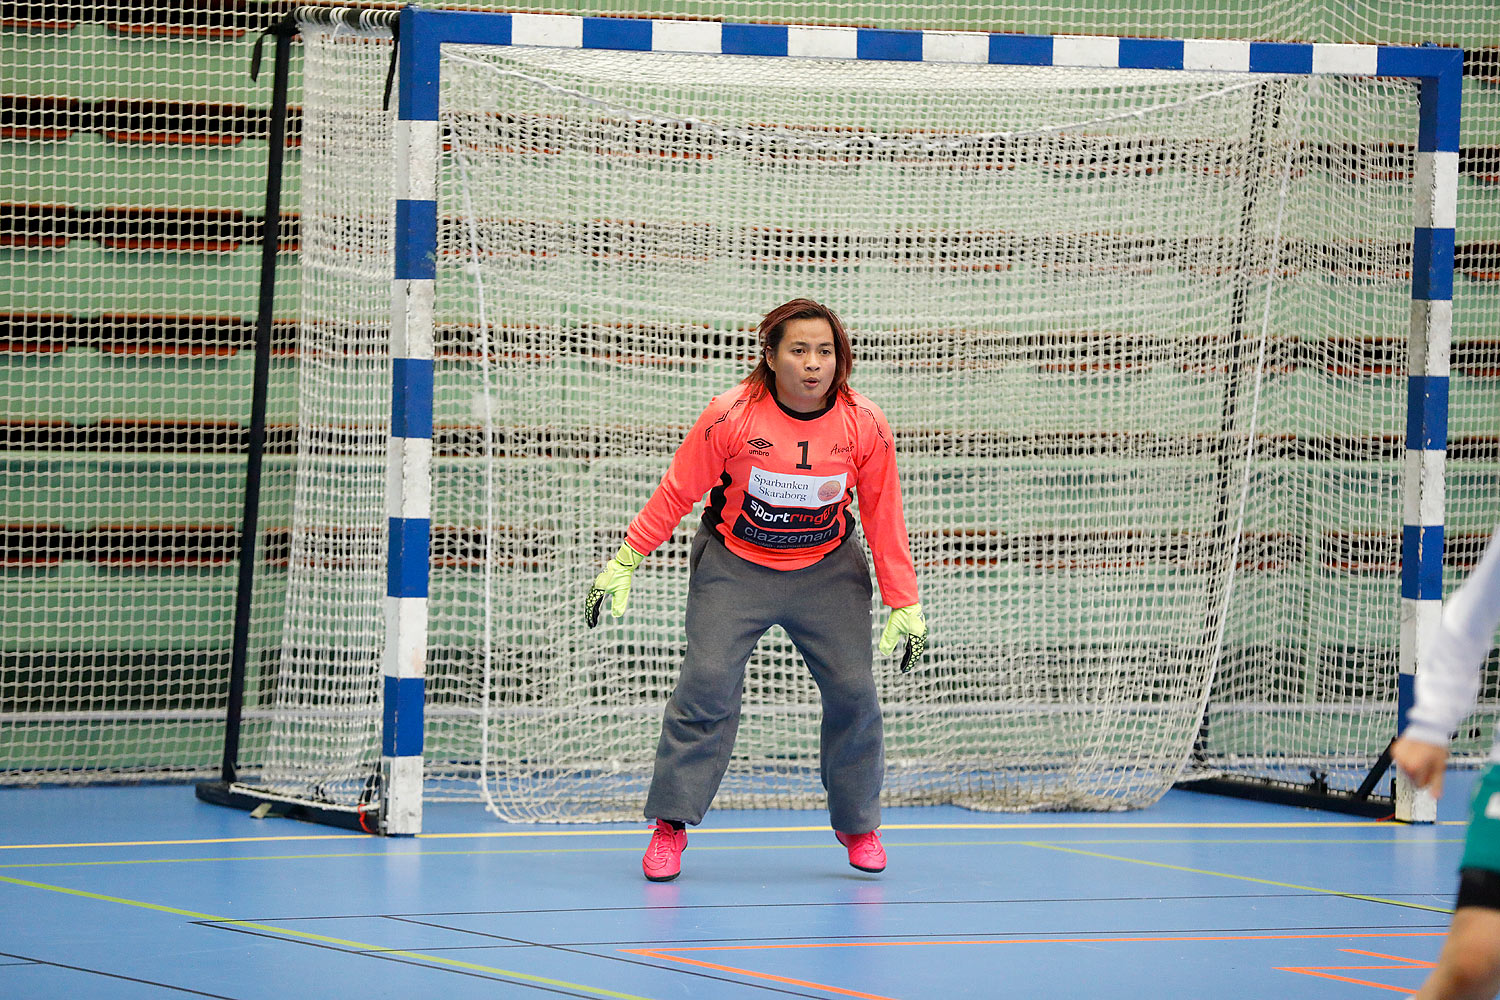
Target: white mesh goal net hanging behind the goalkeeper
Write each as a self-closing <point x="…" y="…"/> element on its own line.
<point x="1141" y="337"/>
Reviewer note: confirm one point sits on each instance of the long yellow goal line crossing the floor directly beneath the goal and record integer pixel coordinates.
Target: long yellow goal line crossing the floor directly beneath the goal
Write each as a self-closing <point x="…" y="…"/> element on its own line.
<point x="745" y="830"/>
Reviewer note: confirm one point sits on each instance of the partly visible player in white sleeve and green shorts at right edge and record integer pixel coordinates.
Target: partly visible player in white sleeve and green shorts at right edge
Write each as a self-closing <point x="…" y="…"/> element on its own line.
<point x="1447" y="692"/>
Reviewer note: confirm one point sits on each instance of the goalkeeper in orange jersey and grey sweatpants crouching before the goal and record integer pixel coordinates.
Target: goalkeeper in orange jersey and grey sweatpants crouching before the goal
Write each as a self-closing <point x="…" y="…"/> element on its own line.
<point x="781" y="457"/>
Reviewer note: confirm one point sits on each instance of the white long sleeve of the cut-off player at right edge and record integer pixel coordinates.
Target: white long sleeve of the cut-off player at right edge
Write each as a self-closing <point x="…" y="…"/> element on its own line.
<point x="1448" y="677"/>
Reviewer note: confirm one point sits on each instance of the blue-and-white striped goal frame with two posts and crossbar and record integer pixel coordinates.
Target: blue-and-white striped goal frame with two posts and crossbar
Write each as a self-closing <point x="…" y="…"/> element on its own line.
<point x="424" y="34"/>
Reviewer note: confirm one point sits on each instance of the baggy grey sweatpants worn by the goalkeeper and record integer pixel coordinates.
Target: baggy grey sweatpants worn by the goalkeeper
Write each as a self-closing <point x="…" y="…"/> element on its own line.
<point x="826" y="611"/>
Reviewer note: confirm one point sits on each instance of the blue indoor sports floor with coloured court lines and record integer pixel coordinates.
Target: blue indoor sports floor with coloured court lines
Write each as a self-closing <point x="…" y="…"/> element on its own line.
<point x="131" y="893"/>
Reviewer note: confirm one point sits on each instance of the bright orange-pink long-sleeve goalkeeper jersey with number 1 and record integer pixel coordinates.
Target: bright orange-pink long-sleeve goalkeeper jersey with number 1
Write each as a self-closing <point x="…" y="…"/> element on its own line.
<point x="779" y="487"/>
